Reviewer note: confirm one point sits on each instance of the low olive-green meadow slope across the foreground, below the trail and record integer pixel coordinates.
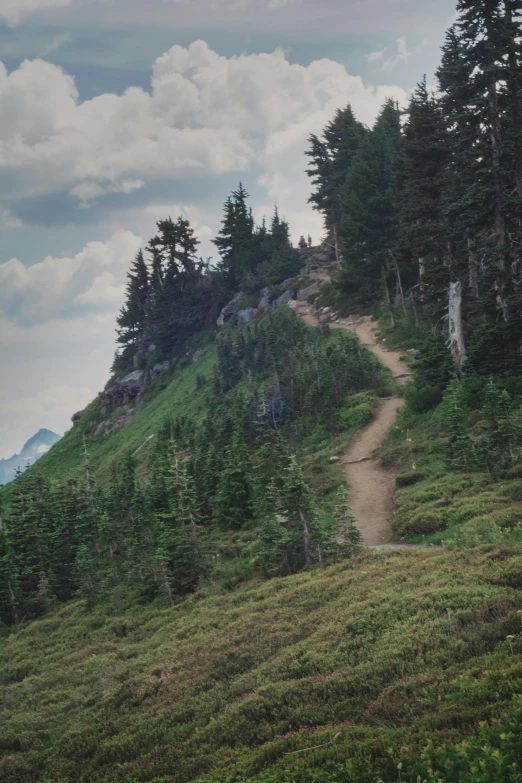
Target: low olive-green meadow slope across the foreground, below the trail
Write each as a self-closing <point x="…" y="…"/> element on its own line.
<point x="363" y="658"/>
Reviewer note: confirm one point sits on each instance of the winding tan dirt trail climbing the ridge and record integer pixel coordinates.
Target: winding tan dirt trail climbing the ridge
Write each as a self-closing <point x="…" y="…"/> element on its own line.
<point x="371" y="485"/>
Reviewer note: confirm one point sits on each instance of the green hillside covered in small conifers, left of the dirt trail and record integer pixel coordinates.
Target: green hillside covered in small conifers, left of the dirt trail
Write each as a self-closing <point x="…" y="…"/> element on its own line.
<point x="158" y="514"/>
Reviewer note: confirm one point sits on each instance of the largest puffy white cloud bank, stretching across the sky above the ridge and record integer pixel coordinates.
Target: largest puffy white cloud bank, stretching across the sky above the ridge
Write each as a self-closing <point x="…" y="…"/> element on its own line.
<point x="205" y="115"/>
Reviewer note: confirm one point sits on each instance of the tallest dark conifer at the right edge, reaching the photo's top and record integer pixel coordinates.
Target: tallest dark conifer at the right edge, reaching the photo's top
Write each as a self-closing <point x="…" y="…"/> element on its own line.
<point x="480" y="84"/>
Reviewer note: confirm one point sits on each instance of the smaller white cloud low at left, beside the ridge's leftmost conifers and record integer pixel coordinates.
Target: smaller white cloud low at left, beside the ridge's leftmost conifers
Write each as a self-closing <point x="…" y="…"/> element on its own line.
<point x="66" y="287"/>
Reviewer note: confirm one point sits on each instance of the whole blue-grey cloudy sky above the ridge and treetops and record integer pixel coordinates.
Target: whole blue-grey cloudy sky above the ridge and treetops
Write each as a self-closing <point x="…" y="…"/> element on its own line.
<point x="118" y="113"/>
